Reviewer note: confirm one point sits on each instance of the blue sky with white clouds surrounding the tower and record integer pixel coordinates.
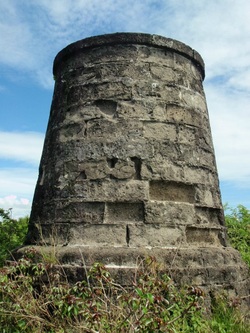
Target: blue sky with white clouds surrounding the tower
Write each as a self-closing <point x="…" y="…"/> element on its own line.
<point x="32" y="32"/>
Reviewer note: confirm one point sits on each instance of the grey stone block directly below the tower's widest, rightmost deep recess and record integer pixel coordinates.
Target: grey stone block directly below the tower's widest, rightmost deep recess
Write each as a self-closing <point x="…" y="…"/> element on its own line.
<point x="170" y="213"/>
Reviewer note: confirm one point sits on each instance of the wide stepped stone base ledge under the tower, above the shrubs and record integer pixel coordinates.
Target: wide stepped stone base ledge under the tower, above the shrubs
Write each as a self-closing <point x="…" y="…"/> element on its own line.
<point x="214" y="269"/>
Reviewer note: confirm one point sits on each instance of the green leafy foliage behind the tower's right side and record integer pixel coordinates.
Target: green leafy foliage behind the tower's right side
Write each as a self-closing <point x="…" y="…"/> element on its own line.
<point x="238" y="228"/>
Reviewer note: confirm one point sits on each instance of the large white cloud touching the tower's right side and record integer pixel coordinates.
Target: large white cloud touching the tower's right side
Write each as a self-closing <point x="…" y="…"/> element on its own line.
<point x="231" y="132"/>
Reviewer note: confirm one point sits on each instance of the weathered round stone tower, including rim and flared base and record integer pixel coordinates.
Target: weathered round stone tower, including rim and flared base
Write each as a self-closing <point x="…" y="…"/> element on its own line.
<point x="128" y="166"/>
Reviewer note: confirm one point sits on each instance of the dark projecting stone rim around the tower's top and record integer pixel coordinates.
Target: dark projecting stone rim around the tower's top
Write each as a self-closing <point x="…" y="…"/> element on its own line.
<point x="124" y="38"/>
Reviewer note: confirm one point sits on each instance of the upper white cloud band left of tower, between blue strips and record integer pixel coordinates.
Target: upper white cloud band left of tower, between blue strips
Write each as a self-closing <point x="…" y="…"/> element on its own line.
<point x="21" y="146"/>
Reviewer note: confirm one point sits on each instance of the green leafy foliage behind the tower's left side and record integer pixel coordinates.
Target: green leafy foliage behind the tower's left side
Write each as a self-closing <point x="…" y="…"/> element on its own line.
<point x="12" y="233"/>
